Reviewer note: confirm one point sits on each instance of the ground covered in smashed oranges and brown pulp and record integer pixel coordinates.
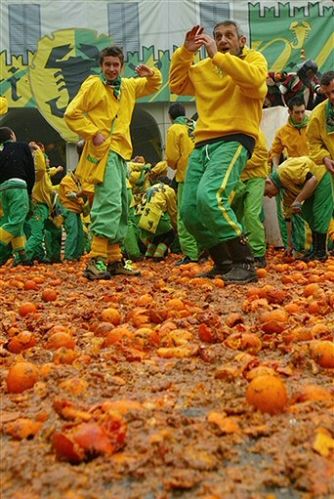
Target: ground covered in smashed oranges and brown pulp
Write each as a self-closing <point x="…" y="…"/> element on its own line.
<point x="167" y="385"/>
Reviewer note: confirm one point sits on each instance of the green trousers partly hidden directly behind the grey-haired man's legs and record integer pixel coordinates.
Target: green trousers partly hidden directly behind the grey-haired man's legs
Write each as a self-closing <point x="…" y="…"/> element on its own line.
<point x="249" y="211"/>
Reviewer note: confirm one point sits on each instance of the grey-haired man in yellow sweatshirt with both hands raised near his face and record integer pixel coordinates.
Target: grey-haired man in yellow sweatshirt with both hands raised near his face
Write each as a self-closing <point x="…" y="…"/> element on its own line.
<point x="229" y="87"/>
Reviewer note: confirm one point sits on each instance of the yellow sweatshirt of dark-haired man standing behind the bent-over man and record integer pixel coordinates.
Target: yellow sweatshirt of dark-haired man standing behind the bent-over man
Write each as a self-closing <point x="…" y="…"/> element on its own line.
<point x="290" y="140"/>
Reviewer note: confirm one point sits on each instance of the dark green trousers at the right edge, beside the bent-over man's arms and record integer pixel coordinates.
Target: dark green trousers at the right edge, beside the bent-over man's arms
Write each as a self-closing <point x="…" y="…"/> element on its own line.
<point x="318" y="209"/>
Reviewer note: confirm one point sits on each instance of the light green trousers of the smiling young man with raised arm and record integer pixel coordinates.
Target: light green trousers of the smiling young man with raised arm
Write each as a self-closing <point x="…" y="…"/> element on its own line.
<point x="109" y="213"/>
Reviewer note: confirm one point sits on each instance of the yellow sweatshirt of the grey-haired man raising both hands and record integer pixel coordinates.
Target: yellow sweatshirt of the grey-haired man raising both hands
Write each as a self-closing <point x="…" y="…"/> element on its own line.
<point x="229" y="91"/>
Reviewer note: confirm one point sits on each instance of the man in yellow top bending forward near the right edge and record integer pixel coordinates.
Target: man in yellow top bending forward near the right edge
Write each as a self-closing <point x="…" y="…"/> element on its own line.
<point x="308" y="191"/>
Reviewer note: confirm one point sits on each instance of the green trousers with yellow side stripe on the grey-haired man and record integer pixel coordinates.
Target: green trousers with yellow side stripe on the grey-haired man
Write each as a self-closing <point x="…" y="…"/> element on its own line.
<point x="213" y="172"/>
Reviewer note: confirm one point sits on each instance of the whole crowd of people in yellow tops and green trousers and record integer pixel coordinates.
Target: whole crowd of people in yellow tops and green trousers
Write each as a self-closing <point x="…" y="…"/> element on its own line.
<point x="119" y="209"/>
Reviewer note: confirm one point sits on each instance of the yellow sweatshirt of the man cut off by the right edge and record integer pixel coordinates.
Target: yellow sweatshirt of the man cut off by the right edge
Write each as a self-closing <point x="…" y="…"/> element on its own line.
<point x="321" y="143"/>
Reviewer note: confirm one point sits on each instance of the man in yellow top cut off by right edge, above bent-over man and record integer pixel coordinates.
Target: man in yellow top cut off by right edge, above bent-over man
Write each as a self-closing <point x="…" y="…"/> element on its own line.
<point x="320" y="131"/>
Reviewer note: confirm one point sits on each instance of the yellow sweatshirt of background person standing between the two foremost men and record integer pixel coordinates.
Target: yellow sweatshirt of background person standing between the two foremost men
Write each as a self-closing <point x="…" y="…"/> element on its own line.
<point x="179" y="146"/>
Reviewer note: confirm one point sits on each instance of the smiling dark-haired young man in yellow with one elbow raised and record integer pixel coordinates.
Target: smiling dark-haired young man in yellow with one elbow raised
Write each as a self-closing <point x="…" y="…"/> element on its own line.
<point x="101" y="114"/>
